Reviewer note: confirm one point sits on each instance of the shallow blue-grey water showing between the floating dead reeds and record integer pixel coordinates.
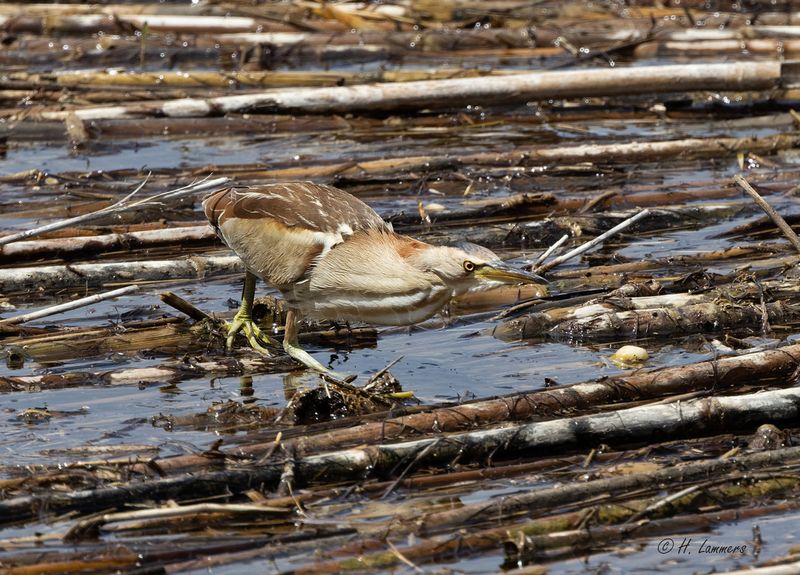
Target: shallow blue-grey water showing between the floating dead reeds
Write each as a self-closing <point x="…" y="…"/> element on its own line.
<point x="441" y="363"/>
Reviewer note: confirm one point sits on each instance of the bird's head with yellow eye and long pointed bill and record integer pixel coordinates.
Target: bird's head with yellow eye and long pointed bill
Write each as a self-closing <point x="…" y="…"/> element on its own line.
<point x="469" y="267"/>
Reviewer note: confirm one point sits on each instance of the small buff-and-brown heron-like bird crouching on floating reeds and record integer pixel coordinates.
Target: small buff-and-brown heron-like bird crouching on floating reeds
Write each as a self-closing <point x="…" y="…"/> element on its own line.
<point x="332" y="257"/>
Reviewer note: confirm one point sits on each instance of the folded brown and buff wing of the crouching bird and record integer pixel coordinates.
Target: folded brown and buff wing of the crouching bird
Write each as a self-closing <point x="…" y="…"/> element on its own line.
<point x="281" y="230"/>
